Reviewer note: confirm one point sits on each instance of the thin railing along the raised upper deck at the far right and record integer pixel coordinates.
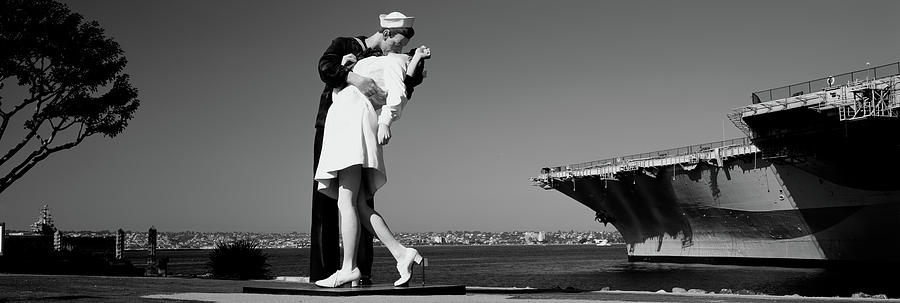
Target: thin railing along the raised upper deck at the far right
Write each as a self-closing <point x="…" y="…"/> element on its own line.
<point x="822" y="84"/>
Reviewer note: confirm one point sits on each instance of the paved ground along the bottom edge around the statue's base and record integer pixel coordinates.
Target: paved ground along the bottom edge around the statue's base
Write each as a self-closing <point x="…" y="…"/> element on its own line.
<point x="94" y="289"/>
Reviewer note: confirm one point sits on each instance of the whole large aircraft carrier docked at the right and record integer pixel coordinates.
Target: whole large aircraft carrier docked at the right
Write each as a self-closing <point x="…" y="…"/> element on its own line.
<point x="816" y="181"/>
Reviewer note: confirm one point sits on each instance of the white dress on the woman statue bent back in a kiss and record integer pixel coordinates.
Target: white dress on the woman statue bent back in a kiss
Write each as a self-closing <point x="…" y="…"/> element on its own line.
<point x="351" y="126"/>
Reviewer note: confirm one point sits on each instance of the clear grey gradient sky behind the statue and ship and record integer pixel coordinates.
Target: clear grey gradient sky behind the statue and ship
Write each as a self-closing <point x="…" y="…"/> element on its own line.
<point x="229" y="92"/>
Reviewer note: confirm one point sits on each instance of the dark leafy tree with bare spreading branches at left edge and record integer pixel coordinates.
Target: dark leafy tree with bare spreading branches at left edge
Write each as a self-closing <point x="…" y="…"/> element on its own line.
<point x="70" y="83"/>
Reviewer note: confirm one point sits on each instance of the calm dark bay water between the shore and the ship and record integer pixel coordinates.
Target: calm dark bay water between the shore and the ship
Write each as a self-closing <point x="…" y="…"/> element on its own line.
<point x="580" y="266"/>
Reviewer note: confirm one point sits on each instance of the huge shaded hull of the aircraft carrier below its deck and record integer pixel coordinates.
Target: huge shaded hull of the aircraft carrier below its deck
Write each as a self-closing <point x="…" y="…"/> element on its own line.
<point x="749" y="211"/>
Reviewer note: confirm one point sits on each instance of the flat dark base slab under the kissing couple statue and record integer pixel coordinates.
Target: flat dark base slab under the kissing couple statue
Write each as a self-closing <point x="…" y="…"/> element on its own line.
<point x="373" y="290"/>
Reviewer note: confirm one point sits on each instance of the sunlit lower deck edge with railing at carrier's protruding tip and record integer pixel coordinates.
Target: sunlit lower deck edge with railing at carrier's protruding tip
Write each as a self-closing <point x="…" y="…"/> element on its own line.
<point x="607" y="168"/>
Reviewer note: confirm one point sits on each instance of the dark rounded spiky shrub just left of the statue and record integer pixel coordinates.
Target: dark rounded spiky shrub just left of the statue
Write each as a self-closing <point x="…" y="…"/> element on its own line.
<point x="239" y="259"/>
